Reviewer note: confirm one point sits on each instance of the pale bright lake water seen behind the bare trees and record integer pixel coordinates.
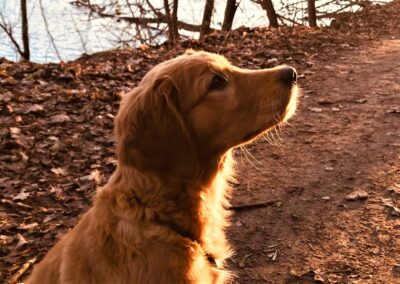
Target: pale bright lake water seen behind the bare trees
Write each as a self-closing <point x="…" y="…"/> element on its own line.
<point x="74" y="34"/>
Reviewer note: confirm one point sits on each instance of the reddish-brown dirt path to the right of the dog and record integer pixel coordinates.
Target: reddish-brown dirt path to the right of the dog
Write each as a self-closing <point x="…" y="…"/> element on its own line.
<point x="344" y="138"/>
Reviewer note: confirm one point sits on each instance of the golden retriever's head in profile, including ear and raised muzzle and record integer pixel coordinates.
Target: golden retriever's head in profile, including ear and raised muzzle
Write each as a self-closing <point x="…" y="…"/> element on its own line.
<point x="197" y="106"/>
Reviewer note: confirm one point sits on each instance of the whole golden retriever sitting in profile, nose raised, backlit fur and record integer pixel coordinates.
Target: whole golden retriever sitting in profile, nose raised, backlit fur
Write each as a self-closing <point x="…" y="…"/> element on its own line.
<point x="161" y="216"/>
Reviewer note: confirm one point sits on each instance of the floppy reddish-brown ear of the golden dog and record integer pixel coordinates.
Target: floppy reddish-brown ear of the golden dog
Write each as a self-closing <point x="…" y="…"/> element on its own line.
<point x="152" y="133"/>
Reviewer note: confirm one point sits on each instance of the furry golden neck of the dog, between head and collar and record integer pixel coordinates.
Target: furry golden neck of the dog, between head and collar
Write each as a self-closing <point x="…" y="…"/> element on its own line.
<point x="186" y="207"/>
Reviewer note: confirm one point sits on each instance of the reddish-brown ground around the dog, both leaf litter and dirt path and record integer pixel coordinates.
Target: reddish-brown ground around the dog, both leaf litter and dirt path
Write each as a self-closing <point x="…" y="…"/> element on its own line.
<point x="332" y="181"/>
